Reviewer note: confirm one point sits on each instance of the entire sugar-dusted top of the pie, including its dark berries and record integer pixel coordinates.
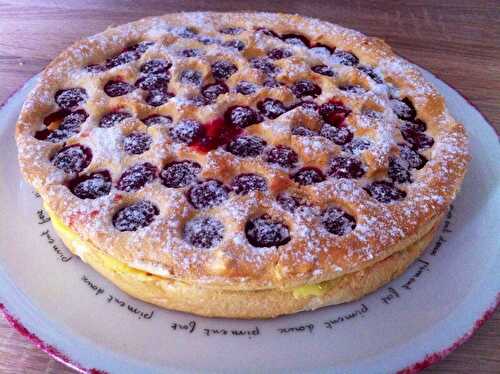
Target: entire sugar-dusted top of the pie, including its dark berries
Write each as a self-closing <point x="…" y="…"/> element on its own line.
<point x="238" y="236"/>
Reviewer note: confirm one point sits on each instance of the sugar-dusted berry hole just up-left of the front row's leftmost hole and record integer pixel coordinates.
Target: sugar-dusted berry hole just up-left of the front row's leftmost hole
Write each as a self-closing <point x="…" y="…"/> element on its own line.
<point x="91" y="186"/>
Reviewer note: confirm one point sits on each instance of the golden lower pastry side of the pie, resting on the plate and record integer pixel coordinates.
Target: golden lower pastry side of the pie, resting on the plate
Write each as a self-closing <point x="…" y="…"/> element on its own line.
<point x="270" y="303"/>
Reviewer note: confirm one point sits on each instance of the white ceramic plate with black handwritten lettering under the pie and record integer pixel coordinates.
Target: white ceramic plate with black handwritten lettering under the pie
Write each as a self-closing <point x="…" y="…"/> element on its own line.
<point x="74" y="314"/>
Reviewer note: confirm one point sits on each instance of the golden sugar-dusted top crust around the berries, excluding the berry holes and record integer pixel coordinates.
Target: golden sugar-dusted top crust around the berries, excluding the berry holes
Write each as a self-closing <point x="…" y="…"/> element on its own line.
<point x="312" y="254"/>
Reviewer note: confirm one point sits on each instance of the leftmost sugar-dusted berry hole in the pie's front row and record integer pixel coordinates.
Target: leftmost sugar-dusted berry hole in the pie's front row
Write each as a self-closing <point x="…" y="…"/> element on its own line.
<point x="135" y="216"/>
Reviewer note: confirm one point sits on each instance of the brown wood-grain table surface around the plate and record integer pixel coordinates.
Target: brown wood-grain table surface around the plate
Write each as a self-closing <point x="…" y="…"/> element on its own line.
<point x="459" y="41"/>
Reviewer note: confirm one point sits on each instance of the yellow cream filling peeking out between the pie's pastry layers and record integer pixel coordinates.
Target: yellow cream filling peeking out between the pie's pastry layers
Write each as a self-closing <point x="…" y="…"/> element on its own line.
<point x="69" y="236"/>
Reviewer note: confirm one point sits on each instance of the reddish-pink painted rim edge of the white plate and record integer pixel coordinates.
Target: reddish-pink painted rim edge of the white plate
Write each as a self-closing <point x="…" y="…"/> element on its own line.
<point x="426" y="360"/>
